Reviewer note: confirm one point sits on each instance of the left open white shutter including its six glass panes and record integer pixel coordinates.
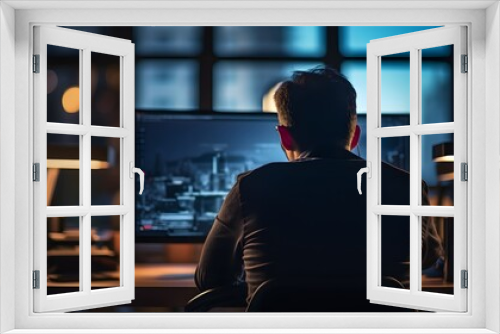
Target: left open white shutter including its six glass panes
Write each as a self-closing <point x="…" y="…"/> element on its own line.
<point x="77" y="248"/>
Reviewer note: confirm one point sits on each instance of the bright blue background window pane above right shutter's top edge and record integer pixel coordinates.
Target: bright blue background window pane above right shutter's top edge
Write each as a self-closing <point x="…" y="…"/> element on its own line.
<point x="353" y="40"/>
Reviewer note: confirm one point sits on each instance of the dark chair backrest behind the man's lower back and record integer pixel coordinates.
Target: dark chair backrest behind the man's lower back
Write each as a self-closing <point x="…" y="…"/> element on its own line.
<point x="302" y="296"/>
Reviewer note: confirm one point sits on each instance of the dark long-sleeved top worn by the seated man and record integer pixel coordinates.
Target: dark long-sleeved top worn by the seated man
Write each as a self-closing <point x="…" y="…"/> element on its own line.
<point x="304" y="220"/>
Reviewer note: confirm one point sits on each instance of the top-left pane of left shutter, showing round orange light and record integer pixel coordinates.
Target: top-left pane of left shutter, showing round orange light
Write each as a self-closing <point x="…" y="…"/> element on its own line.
<point x="63" y="82"/>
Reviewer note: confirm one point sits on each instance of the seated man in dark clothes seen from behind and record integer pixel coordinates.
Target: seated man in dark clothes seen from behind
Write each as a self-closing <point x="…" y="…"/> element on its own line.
<point x="303" y="220"/>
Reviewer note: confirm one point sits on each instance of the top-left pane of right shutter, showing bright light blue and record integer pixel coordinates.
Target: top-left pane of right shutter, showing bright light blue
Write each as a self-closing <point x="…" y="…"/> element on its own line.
<point x="395" y="84"/>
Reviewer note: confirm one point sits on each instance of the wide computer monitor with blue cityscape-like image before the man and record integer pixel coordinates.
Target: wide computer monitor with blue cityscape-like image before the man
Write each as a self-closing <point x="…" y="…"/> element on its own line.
<point x="191" y="161"/>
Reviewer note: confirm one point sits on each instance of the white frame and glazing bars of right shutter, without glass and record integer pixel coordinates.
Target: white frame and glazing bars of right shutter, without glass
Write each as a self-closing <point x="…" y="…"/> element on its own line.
<point x="415" y="294"/>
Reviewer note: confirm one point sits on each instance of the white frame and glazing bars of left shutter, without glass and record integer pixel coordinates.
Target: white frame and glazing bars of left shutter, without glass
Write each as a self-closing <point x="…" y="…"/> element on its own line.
<point x="86" y="44"/>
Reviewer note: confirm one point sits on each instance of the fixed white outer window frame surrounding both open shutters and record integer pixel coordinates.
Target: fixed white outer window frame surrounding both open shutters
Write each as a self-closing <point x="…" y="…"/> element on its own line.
<point x="483" y="315"/>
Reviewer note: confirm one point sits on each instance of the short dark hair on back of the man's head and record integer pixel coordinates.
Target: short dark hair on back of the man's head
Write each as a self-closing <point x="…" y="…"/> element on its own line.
<point x="319" y="107"/>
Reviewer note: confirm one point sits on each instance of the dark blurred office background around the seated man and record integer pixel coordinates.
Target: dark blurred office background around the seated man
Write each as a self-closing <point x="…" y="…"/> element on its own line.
<point x="205" y="114"/>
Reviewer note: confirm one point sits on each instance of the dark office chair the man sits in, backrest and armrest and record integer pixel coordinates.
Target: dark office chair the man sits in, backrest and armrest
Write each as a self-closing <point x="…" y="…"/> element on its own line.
<point x="292" y="296"/>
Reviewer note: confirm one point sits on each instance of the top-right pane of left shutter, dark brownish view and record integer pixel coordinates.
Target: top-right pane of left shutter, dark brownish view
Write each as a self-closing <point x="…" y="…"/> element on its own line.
<point x="105" y="89"/>
